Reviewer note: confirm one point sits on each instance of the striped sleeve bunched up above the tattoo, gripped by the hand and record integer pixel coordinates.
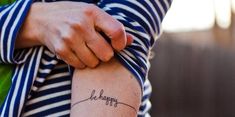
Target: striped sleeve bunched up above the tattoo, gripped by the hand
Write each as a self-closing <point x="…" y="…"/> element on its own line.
<point x="142" y="19"/>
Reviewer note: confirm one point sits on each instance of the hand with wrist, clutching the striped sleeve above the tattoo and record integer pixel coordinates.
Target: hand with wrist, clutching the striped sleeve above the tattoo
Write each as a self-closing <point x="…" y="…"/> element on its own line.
<point x="71" y="31"/>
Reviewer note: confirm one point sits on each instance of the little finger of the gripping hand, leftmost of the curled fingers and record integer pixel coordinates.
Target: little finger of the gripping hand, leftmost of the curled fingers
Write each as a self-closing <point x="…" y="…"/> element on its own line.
<point x="66" y="54"/>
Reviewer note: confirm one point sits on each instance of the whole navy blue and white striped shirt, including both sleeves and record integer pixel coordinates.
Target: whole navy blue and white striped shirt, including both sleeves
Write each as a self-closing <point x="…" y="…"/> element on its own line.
<point x="41" y="84"/>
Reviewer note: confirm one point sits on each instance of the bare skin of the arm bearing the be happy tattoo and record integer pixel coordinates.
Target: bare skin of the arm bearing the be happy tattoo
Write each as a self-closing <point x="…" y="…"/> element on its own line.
<point x="108" y="90"/>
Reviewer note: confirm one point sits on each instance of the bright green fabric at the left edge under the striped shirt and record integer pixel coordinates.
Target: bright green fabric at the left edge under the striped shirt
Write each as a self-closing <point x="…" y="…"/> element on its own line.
<point x="5" y="80"/>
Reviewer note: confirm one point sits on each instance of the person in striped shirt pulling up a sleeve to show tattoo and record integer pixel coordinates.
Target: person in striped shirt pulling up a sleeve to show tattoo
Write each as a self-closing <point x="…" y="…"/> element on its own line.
<point x="74" y="33"/>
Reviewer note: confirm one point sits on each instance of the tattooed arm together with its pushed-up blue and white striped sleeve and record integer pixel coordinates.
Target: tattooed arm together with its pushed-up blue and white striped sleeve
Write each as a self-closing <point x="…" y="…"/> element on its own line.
<point x="142" y="19"/>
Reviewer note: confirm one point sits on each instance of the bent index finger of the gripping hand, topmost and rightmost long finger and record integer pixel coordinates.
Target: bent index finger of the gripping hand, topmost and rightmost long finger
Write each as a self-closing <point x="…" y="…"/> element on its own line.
<point x="112" y="28"/>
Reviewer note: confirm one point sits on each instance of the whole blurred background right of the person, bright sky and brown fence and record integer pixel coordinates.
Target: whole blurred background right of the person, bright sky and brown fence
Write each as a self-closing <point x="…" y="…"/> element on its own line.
<point x="193" y="69"/>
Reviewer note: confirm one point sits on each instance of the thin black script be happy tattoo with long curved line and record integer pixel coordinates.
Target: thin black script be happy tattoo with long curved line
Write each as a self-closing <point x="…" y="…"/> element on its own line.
<point x="109" y="101"/>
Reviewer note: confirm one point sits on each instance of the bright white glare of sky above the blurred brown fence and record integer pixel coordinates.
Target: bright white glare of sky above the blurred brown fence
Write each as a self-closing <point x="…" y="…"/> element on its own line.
<point x="190" y="15"/>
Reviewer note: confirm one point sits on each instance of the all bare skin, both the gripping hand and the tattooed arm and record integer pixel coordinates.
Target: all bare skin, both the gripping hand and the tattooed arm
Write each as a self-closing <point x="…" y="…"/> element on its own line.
<point x="71" y="31"/>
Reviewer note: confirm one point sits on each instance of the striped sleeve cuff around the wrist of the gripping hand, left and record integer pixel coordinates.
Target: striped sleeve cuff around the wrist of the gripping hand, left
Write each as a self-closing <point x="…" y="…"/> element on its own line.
<point x="11" y="19"/>
